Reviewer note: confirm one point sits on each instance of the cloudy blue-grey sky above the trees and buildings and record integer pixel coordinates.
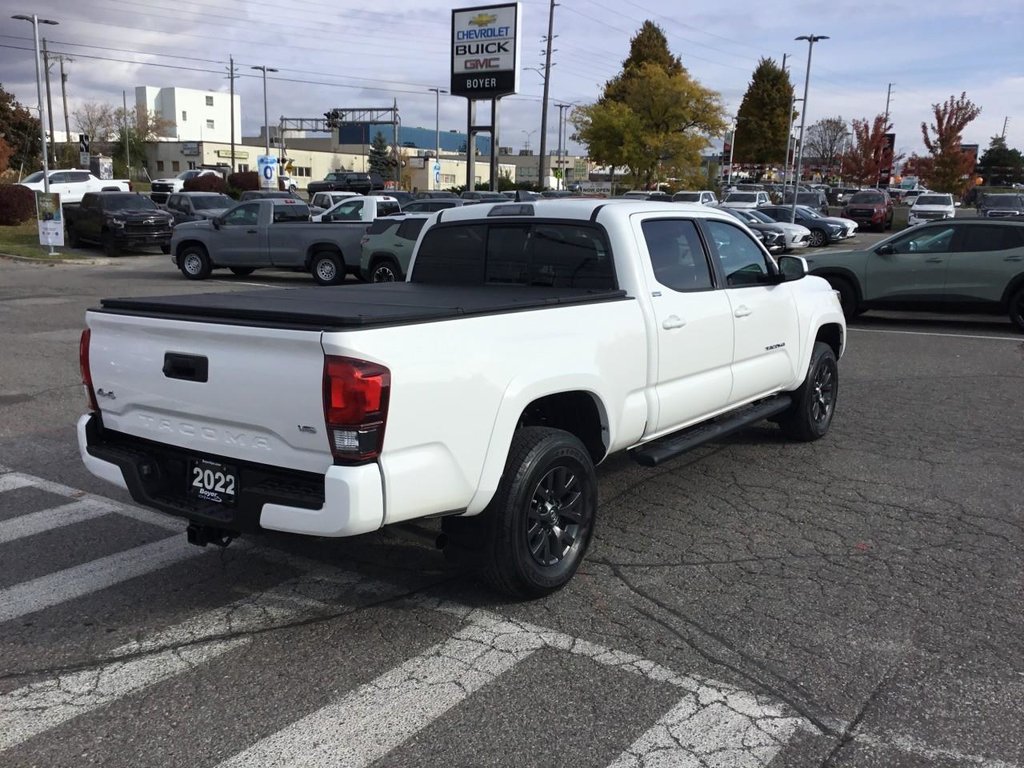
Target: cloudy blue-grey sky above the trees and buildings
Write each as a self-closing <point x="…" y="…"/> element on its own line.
<point x="330" y="56"/>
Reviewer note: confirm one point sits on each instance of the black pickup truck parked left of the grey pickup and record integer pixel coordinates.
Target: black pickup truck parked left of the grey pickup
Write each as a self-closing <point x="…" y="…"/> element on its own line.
<point x="119" y="221"/>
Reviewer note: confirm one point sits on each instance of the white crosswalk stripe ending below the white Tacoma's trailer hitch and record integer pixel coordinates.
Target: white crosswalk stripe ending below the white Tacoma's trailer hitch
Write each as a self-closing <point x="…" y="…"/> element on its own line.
<point x="78" y="581"/>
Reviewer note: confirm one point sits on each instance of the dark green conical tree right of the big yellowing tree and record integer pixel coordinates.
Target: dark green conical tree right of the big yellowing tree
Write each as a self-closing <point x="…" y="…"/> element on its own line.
<point x="763" y="118"/>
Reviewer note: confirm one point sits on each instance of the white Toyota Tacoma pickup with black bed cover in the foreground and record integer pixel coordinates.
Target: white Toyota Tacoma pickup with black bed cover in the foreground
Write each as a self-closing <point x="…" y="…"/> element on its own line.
<point x="530" y="342"/>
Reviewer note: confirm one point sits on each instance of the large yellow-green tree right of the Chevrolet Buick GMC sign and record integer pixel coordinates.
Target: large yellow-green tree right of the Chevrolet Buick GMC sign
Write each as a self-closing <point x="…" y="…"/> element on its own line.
<point x="653" y="118"/>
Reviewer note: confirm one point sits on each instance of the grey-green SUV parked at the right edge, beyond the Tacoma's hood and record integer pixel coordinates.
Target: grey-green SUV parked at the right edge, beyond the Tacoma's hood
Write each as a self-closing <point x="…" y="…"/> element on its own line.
<point x="948" y="266"/>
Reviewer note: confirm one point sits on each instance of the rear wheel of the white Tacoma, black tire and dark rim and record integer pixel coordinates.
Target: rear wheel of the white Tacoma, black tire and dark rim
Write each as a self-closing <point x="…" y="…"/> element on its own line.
<point x="534" y="535"/>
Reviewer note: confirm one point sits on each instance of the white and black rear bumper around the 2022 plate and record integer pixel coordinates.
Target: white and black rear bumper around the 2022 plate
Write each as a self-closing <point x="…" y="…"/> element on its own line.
<point x="346" y="501"/>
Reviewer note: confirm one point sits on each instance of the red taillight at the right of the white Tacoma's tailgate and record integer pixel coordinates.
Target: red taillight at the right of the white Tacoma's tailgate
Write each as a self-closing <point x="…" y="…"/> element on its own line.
<point x="356" y="400"/>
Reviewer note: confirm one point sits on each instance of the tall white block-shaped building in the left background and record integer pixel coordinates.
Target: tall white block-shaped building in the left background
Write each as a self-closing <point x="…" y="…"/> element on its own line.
<point x="196" y="116"/>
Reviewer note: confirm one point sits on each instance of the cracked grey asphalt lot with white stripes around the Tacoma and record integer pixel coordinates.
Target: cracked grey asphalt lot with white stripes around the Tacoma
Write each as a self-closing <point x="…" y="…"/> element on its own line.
<point x="852" y="603"/>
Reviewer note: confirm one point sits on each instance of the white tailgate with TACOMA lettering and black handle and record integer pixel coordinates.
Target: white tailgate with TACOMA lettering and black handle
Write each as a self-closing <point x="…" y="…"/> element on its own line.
<point x="248" y="394"/>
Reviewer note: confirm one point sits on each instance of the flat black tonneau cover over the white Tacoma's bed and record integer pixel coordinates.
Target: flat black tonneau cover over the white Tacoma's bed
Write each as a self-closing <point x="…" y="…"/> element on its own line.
<point x="355" y="307"/>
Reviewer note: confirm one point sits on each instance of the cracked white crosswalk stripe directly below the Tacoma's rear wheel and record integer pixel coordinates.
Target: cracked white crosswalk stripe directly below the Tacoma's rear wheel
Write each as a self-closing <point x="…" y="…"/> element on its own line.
<point x="377" y="717"/>
